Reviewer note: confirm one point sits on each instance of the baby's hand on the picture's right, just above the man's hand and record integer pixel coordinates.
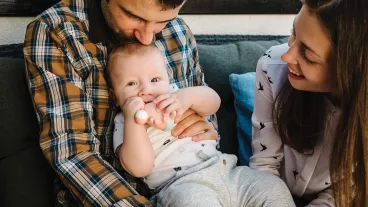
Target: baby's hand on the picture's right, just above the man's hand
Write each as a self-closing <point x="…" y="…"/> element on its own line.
<point x="168" y="105"/>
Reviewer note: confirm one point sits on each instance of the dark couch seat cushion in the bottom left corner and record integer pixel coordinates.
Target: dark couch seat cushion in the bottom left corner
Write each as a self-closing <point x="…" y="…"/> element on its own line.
<point x="26" y="179"/>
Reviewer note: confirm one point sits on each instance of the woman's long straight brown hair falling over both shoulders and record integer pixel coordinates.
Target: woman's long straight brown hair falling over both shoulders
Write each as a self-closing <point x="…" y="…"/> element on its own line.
<point x="300" y="116"/>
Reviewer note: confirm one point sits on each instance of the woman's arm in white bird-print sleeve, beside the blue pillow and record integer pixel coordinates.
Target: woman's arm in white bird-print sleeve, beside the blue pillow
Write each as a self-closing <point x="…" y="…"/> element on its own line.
<point x="266" y="144"/>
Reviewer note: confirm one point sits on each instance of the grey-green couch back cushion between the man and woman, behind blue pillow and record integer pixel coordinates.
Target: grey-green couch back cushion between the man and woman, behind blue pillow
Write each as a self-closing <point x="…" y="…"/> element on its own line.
<point x="218" y="62"/>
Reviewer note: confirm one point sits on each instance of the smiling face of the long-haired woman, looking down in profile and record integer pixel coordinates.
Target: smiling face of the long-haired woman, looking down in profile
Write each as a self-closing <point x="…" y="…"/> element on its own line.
<point x="308" y="55"/>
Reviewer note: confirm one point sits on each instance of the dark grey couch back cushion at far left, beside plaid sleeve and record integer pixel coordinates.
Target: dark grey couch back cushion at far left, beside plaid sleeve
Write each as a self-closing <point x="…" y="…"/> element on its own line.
<point x="18" y="123"/>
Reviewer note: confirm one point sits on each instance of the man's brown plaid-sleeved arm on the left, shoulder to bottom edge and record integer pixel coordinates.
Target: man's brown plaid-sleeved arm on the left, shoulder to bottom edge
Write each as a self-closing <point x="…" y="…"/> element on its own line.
<point x="65" y="115"/>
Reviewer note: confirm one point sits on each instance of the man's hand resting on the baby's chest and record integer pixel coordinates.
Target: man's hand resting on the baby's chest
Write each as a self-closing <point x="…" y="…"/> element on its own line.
<point x="191" y="124"/>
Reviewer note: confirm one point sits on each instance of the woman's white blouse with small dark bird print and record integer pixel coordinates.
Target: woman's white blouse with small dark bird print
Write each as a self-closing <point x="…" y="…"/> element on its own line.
<point x="306" y="176"/>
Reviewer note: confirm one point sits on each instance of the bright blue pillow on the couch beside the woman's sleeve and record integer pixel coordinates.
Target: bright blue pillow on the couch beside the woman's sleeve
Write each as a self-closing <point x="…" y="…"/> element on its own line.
<point x="243" y="89"/>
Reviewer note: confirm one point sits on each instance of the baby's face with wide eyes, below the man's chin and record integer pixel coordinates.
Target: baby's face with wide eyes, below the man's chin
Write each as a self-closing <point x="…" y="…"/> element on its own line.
<point x="144" y="76"/>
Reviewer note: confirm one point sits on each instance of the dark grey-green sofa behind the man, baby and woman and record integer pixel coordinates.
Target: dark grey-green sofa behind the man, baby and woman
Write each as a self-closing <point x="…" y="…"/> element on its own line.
<point x="25" y="176"/>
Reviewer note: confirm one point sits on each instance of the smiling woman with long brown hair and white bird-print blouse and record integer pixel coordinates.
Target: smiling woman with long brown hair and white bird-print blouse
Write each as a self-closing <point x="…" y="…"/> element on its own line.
<point x="310" y="121"/>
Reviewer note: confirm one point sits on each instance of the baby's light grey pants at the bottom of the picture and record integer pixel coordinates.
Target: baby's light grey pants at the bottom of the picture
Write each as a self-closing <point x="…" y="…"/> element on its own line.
<point x="219" y="182"/>
